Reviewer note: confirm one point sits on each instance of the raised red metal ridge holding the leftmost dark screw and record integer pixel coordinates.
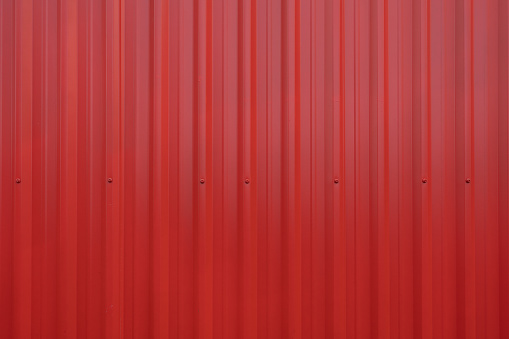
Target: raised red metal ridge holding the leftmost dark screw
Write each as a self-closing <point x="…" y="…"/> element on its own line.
<point x="22" y="223"/>
